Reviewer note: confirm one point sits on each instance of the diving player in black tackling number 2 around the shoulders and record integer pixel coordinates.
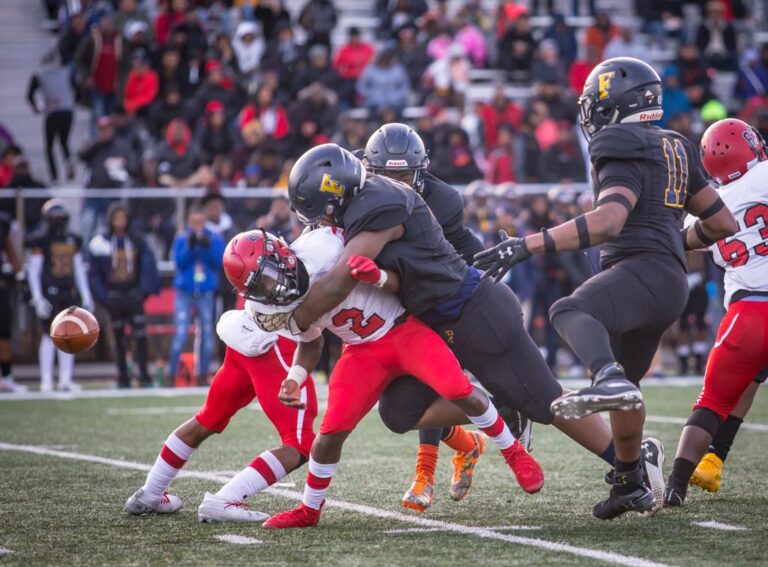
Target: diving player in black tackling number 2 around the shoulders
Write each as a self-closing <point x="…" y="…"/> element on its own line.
<point x="482" y="323"/>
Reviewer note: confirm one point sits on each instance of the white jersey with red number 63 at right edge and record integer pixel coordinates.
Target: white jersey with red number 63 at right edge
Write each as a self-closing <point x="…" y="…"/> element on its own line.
<point x="744" y="256"/>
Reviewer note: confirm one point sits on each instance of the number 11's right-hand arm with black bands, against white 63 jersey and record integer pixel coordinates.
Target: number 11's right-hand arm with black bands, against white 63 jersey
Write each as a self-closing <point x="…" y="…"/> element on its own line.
<point x="715" y="220"/>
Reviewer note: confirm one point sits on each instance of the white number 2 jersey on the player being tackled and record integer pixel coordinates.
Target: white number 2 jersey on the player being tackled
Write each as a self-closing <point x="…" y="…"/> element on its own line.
<point x="367" y="314"/>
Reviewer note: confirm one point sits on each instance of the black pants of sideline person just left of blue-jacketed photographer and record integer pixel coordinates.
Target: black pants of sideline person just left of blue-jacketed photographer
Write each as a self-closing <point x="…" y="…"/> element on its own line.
<point x="124" y="311"/>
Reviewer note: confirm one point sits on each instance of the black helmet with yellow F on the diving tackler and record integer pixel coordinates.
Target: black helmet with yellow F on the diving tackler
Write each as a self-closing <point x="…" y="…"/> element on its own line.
<point x="322" y="182"/>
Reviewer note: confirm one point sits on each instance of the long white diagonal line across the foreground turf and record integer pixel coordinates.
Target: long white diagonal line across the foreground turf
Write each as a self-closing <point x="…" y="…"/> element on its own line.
<point x="481" y="532"/>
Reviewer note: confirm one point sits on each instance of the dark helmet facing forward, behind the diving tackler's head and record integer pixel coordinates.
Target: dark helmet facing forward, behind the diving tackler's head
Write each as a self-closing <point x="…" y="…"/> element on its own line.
<point x="397" y="148"/>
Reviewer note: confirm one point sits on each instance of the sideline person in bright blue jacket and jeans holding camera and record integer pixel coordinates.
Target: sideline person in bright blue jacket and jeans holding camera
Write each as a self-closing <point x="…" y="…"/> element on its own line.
<point x="197" y="253"/>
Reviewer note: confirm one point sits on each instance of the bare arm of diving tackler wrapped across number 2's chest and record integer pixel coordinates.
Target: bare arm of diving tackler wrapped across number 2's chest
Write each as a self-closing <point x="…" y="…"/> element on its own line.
<point x="334" y="287"/>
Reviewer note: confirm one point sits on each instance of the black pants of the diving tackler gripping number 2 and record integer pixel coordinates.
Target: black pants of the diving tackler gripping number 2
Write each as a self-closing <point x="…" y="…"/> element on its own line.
<point x="490" y="340"/>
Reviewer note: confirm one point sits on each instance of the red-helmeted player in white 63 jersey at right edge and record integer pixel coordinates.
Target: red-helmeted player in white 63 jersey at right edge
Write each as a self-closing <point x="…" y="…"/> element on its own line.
<point x="734" y="155"/>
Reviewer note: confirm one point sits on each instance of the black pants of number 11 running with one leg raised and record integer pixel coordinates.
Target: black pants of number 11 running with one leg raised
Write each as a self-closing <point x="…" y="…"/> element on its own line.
<point x="621" y="313"/>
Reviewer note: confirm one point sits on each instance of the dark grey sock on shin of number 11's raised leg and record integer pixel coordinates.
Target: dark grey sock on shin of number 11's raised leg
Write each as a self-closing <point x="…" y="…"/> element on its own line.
<point x="586" y="336"/>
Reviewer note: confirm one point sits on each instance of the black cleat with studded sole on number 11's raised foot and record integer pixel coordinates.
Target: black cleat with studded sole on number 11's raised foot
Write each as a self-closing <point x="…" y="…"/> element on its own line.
<point x="610" y="391"/>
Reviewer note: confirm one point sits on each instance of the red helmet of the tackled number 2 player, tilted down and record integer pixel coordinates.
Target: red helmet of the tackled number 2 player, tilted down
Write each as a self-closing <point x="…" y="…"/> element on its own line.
<point x="262" y="267"/>
